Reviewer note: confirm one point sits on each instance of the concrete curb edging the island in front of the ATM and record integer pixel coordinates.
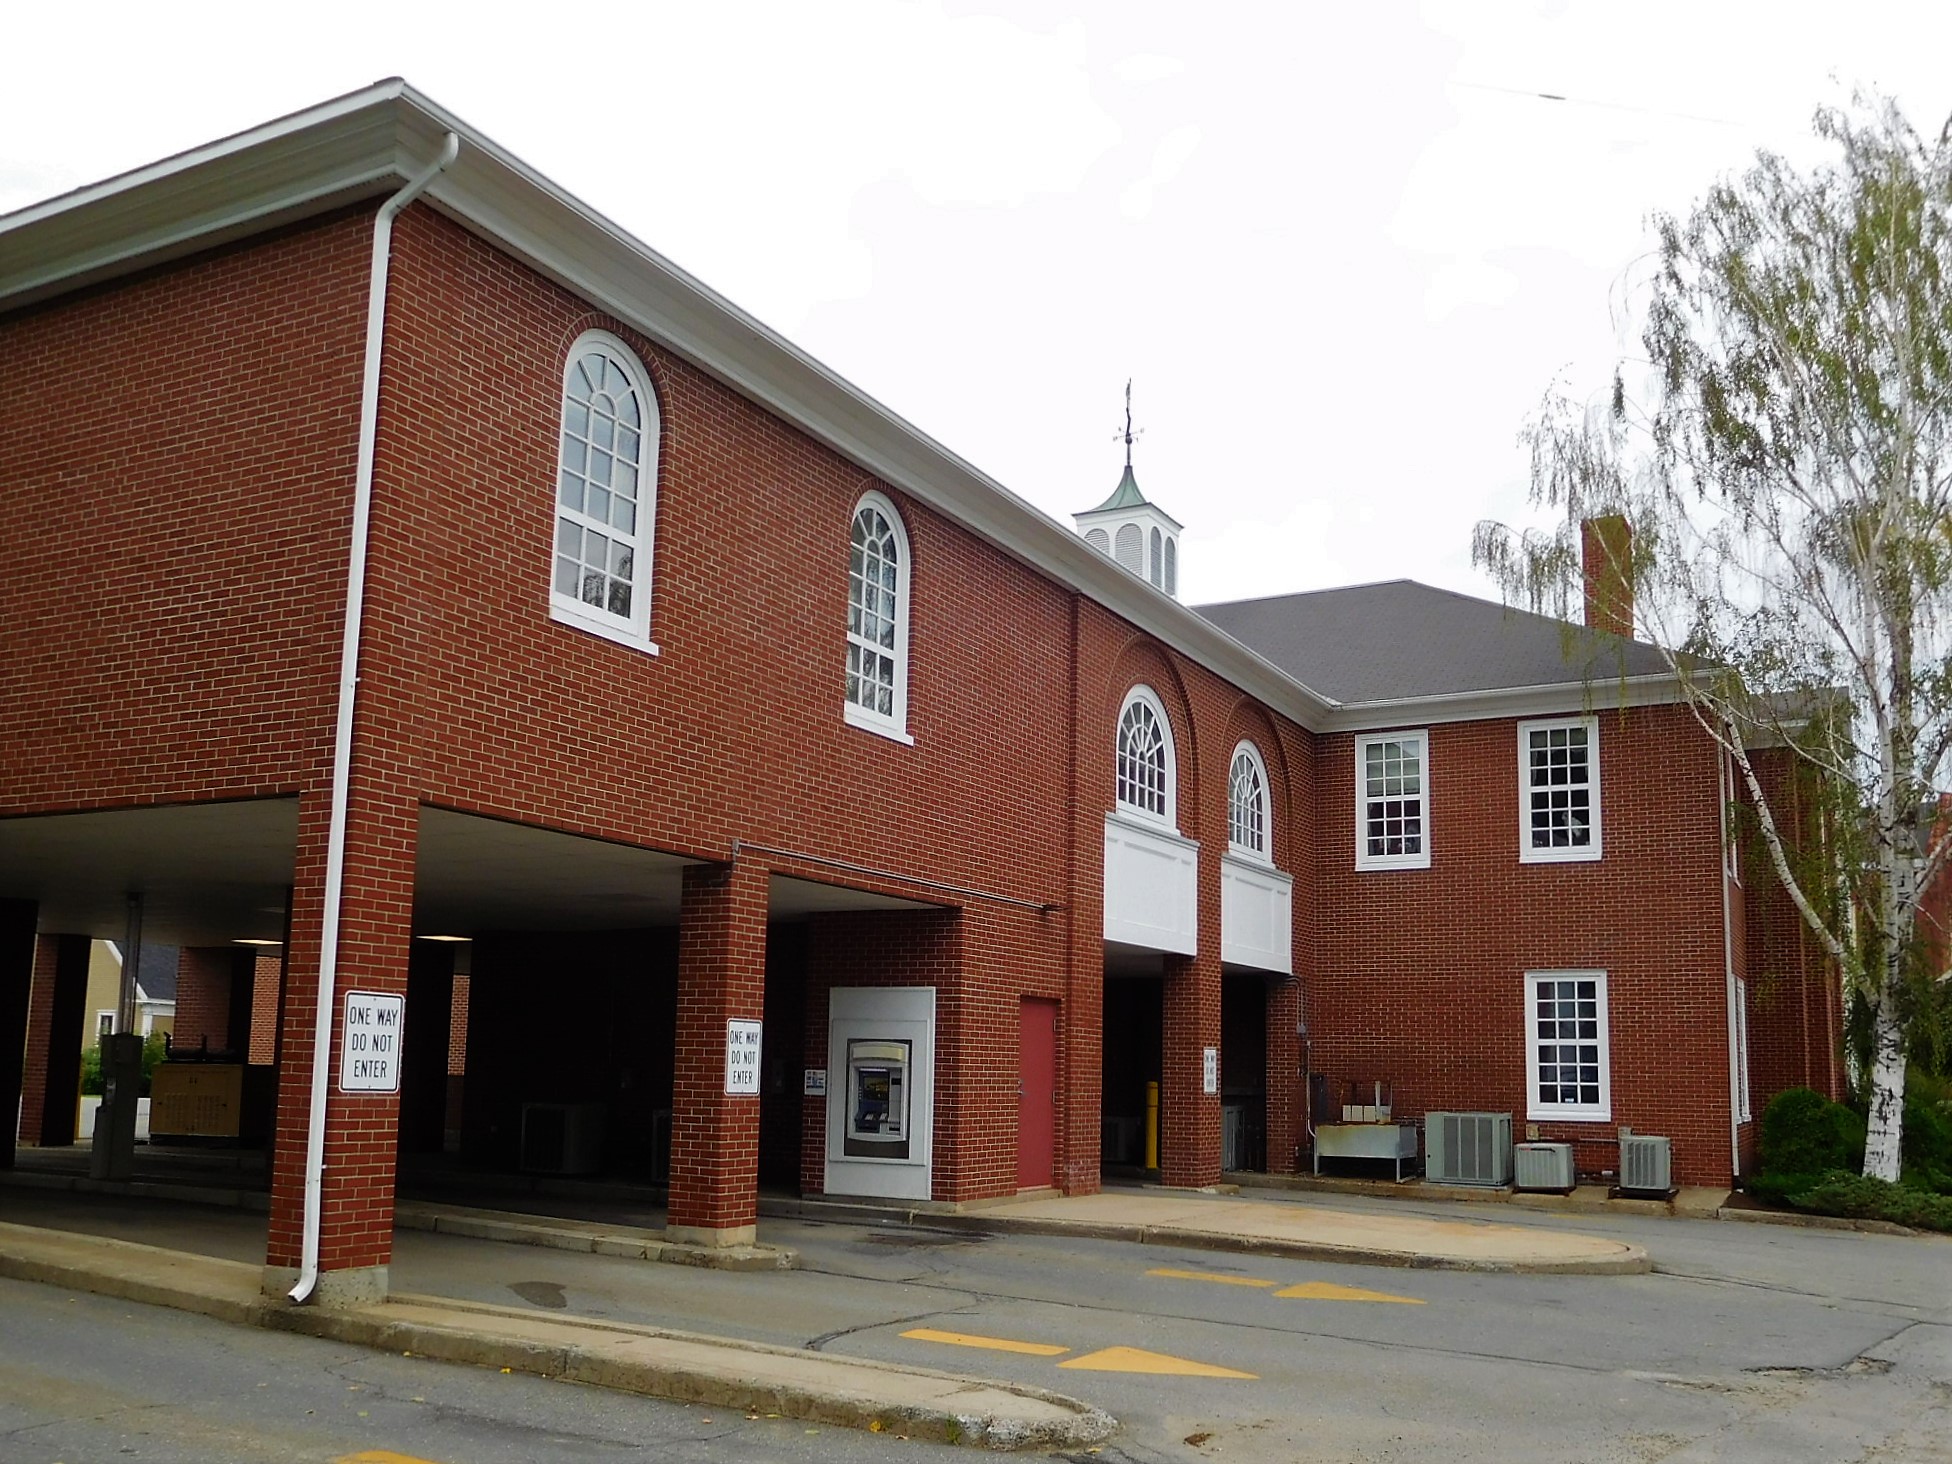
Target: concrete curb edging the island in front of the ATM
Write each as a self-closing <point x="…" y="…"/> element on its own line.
<point x="1631" y="1262"/>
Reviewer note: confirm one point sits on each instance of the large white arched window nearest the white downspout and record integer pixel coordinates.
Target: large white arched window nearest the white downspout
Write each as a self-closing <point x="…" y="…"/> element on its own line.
<point x="606" y="491"/>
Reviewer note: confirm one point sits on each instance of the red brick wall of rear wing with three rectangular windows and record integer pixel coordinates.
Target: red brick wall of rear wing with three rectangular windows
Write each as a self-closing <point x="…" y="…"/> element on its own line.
<point x="1420" y="975"/>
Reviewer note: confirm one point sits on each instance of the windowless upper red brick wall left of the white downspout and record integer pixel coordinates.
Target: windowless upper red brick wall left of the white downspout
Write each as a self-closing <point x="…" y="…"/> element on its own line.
<point x="173" y="557"/>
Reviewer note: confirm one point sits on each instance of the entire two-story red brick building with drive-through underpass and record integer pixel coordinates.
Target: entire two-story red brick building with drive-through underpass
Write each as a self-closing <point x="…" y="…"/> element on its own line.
<point x="405" y="565"/>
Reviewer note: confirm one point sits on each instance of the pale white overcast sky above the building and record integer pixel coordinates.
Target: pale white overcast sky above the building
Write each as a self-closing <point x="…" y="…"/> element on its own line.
<point x="1344" y="251"/>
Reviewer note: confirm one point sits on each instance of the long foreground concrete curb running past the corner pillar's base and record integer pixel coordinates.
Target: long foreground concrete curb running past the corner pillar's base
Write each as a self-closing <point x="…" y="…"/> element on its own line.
<point x="684" y="1367"/>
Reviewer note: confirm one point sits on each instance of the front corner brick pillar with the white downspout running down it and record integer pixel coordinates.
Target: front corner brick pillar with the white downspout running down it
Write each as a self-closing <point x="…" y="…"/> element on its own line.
<point x="376" y="926"/>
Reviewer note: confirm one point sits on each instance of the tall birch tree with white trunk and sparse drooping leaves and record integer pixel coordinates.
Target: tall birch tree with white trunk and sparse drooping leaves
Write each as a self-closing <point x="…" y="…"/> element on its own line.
<point x="1787" y="477"/>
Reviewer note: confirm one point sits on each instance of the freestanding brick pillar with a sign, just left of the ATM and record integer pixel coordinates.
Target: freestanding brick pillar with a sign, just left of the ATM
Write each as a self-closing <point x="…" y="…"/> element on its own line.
<point x="721" y="975"/>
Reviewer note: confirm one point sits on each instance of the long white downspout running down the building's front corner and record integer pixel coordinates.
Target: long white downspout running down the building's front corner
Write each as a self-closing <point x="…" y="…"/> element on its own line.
<point x="343" y="743"/>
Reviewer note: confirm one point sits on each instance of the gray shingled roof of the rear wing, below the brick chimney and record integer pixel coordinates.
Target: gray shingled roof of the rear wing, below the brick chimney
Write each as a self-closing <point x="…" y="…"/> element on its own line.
<point x="1404" y="639"/>
